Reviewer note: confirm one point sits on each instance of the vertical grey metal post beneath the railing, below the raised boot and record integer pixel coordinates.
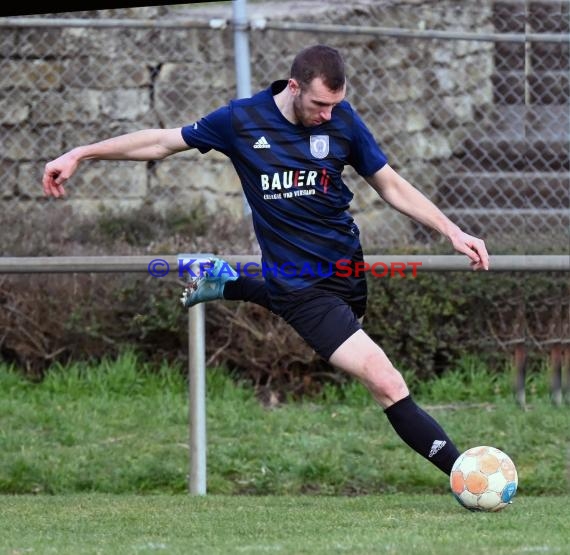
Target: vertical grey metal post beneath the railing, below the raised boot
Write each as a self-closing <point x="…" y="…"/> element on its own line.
<point x="197" y="396"/>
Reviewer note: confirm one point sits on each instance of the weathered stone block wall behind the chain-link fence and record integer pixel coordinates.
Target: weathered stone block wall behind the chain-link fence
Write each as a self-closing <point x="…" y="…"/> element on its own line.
<point x="67" y="86"/>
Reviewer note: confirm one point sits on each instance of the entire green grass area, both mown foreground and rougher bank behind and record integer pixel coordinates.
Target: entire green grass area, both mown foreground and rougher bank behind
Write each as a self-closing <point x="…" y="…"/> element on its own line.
<point x="95" y="460"/>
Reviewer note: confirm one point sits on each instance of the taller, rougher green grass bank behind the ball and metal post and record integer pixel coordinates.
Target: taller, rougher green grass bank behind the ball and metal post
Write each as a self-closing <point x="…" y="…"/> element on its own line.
<point x="121" y="428"/>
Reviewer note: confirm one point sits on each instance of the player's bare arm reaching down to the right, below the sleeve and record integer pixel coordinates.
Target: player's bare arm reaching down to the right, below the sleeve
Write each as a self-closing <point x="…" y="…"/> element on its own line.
<point x="405" y="198"/>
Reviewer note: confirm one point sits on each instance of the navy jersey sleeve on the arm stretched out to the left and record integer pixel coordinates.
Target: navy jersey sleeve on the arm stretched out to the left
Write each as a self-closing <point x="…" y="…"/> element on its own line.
<point x="211" y="132"/>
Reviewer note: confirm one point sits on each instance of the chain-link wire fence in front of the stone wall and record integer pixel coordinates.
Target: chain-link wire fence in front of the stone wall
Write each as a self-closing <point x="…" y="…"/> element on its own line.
<point x="475" y="113"/>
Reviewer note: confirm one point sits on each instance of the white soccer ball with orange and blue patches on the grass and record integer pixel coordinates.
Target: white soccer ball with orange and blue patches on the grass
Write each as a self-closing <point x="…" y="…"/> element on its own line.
<point x="484" y="479"/>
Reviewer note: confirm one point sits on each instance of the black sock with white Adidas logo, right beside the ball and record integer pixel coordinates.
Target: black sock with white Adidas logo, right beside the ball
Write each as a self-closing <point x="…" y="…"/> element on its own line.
<point x="422" y="433"/>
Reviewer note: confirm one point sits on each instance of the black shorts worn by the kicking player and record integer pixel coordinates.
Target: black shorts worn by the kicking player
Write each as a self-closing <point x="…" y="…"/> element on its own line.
<point x="325" y="315"/>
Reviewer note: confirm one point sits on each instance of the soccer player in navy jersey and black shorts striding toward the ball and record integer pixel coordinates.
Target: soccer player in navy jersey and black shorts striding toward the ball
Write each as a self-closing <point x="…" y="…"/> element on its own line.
<point x="289" y="144"/>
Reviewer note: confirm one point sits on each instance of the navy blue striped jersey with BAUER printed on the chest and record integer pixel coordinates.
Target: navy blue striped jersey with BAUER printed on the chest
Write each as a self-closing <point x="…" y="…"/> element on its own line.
<point x="292" y="178"/>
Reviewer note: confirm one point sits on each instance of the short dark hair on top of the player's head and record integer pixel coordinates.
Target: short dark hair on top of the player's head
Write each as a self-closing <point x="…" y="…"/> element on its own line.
<point x="319" y="61"/>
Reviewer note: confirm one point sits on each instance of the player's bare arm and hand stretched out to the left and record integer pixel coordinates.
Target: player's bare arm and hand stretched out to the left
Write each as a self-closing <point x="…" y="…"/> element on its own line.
<point x="147" y="144"/>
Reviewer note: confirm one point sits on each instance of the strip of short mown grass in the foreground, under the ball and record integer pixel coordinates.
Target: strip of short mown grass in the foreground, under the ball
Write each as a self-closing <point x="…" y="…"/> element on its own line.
<point x="398" y="524"/>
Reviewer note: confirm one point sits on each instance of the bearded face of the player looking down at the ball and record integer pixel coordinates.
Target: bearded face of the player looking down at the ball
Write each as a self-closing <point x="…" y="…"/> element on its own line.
<point x="313" y="104"/>
